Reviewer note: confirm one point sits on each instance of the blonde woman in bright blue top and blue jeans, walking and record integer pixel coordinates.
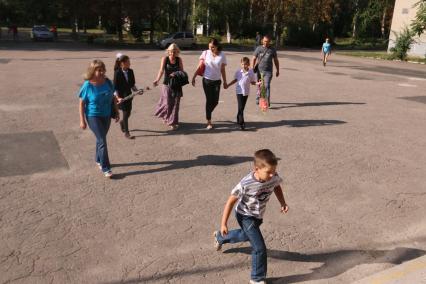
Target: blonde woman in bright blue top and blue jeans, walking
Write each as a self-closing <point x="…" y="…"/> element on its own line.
<point x="96" y="101"/>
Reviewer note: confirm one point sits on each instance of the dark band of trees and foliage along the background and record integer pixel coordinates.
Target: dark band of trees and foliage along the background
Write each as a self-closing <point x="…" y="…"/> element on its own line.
<point x="298" y="22"/>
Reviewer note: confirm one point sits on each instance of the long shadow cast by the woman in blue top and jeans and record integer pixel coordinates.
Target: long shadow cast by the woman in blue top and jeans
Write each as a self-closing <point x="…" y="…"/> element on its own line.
<point x="203" y="160"/>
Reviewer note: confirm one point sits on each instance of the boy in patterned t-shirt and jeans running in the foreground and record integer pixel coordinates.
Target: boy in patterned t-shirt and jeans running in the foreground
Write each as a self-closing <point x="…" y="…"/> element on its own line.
<point x="252" y="194"/>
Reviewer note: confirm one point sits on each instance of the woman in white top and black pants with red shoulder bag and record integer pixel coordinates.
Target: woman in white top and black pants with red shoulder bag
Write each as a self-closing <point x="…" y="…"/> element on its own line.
<point x="214" y="61"/>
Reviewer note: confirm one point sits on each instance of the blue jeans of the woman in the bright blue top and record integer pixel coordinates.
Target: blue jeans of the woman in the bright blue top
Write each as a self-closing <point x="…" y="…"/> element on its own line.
<point x="100" y="126"/>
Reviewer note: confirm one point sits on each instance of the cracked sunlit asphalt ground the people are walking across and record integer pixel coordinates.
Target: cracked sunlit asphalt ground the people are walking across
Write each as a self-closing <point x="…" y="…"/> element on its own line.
<point x="350" y="138"/>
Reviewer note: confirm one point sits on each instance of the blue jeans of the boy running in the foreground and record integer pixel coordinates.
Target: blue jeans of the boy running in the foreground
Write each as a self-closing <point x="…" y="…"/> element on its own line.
<point x="250" y="231"/>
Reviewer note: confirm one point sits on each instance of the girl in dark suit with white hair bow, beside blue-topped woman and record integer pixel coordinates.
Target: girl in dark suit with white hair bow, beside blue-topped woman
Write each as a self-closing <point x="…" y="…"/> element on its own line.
<point x="124" y="84"/>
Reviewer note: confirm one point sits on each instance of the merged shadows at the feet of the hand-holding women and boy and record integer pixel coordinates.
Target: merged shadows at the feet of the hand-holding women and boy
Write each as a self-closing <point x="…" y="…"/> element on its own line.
<point x="188" y="128"/>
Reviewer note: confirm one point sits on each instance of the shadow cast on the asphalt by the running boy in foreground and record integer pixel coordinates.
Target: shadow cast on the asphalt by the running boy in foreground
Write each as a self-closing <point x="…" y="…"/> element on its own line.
<point x="335" y="262"/>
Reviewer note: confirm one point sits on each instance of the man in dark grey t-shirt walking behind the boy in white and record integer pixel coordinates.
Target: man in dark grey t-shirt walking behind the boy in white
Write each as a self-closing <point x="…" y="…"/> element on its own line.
<point x="263" y="57"/>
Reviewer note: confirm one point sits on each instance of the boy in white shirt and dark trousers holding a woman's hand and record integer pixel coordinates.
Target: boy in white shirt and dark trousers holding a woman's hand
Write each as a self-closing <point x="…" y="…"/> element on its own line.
<point x="243" y="77"/>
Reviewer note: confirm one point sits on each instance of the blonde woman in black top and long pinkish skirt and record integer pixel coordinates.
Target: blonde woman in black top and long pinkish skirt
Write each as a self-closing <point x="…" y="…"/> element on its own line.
<point x="168" y="105"/>
